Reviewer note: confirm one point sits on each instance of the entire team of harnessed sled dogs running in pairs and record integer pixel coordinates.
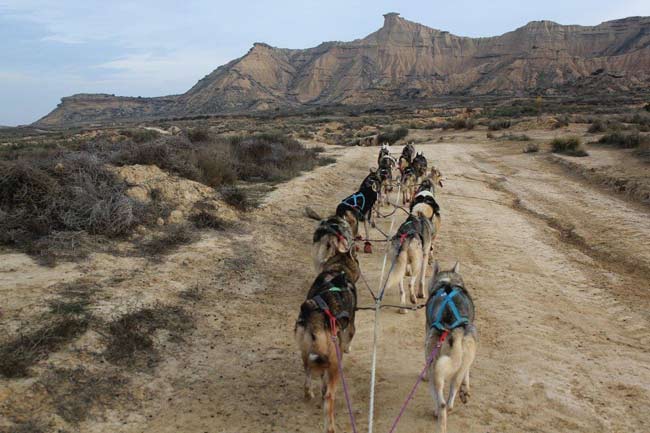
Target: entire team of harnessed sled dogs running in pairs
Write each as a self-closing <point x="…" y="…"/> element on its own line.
<point x="325" y="326"/>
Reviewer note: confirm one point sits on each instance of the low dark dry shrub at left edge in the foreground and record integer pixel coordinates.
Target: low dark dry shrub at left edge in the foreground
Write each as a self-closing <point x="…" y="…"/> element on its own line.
<point x="19" y="354"/>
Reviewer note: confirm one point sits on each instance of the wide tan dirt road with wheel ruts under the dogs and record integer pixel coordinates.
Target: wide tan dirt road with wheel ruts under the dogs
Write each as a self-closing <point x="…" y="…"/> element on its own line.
<point x="559" y="273"/>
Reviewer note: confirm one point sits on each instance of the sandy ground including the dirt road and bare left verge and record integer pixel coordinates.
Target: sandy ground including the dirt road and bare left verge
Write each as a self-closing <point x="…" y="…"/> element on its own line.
<point x="558" y="265"/>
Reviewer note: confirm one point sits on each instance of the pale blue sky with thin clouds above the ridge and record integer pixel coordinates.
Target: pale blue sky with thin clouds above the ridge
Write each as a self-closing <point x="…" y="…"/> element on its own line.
<point x="55" y="48"/>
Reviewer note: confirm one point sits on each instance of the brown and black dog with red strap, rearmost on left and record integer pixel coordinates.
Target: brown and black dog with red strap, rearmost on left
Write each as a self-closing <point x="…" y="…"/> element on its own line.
<point x="333" y="290"/>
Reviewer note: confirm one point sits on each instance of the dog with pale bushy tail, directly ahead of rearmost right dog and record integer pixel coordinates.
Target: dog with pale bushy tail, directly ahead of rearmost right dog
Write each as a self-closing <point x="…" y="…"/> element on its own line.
<point x="409" y="253"/>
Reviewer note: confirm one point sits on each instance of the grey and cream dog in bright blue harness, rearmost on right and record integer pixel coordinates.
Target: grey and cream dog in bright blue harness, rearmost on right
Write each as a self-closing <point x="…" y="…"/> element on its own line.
<point x="450" y="308"/>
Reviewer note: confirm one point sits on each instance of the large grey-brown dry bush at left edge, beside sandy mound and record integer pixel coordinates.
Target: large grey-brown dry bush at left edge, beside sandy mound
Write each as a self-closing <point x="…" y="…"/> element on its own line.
<point x="41" y="201"/>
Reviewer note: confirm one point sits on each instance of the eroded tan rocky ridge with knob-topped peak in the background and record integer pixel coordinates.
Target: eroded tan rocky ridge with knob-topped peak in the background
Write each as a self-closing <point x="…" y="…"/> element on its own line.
<point x="401" y="61"/>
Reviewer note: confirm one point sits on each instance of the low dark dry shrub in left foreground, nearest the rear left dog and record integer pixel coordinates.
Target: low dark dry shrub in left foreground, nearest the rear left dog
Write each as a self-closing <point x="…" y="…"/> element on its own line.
<point x="130" y="339"/>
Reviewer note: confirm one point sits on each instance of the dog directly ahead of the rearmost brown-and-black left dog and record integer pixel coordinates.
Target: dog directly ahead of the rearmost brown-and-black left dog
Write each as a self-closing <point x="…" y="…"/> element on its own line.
<point x="332" y="236"/>
